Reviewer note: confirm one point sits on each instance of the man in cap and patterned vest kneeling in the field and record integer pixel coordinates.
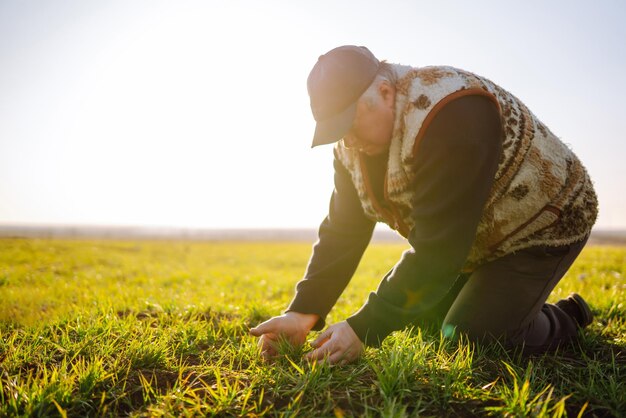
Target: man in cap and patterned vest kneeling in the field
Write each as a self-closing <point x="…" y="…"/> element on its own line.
<point x="495" y="207"/>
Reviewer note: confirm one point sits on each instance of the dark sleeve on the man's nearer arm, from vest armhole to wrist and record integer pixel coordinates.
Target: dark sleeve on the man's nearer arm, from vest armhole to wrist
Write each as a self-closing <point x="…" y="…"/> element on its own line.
<point x="456" y="164"/>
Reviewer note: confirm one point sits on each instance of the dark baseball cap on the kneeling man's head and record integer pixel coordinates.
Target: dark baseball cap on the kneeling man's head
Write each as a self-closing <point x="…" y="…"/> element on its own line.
<point x="335" y="84"/>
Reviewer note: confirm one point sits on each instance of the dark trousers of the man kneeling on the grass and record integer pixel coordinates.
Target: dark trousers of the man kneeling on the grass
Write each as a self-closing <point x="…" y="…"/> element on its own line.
<point x="506" y="300"/>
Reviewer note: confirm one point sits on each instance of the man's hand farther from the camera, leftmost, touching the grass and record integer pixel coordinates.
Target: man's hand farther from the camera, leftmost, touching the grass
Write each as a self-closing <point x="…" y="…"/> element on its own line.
<point x="293" y="326"/>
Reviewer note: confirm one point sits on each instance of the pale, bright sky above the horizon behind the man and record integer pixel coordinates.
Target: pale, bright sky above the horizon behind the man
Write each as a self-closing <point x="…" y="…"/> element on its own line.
<point x="195" y="113"/>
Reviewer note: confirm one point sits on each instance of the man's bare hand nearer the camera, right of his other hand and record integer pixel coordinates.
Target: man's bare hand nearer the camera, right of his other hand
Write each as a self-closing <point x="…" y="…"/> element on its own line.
<point x="339" y="343"/>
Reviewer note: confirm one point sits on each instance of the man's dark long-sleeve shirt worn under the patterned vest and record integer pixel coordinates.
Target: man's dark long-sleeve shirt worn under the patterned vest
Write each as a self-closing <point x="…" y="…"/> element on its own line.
<point x="455" y="167"/>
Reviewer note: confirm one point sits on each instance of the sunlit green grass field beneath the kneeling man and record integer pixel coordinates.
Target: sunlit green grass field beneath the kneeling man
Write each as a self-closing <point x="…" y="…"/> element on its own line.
<point x="105" y="328"/>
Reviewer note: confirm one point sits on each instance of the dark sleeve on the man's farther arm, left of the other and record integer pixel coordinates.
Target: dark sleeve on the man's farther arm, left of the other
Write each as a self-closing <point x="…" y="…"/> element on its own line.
<point x="343" y="236"/>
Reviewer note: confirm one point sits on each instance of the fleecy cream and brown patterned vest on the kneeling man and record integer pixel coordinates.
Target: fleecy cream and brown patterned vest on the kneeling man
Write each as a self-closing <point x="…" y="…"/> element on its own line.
<point x="542" y="194"/>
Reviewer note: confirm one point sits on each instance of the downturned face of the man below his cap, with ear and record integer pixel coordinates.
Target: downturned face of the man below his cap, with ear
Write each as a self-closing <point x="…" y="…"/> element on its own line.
<point x="373" y="124"/>
